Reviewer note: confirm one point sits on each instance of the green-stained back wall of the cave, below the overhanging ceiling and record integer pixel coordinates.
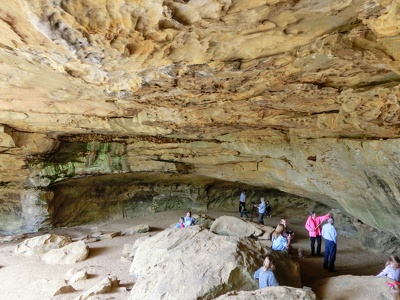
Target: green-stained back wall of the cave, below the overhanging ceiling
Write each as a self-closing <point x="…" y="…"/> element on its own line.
<point x="325" y="173"/>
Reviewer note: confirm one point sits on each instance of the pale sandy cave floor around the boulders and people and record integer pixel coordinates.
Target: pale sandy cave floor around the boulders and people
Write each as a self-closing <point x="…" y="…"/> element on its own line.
<point x="30" y="278"/>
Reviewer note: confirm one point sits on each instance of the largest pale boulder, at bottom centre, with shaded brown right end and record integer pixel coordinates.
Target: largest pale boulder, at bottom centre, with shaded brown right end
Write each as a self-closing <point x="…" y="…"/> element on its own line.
<point x="195" y="263"/>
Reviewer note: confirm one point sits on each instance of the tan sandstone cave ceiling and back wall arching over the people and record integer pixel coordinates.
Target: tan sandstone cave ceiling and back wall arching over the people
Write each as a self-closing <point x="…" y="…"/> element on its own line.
<point x="105" y="105"/>
